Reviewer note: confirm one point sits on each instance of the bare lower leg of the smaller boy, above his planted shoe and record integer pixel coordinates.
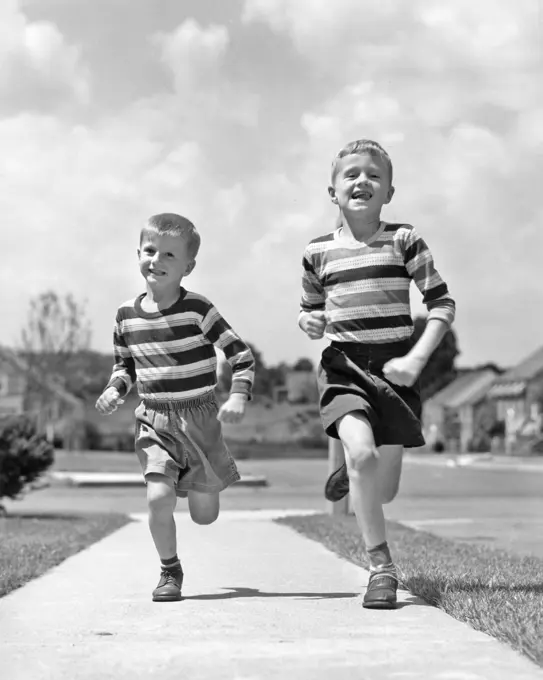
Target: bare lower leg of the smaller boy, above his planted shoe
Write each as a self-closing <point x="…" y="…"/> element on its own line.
<point x="161" y="500"/>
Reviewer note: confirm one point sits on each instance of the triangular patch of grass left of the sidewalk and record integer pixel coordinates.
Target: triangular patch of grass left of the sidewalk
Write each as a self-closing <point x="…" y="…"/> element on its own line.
<point x="31" y="545"/>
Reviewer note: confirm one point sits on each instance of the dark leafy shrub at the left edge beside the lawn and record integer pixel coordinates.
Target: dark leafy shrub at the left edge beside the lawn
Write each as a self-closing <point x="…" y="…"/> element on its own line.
<point x="24" y="454"/>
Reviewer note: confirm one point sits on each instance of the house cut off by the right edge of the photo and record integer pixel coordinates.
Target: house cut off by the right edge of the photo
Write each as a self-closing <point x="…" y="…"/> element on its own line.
<point x="518" y="397"/>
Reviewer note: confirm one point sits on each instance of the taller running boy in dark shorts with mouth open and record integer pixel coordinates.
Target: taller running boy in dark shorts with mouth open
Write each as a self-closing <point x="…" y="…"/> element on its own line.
<point x="356" y="283"/>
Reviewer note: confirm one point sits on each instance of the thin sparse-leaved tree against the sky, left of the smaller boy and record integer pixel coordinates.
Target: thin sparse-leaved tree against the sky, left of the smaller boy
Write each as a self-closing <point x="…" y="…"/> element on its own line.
<point x="56" y="329"/>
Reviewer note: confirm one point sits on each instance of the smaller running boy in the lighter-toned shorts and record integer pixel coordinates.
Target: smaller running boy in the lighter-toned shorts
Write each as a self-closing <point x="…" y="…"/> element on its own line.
<point x="164" y="342"/>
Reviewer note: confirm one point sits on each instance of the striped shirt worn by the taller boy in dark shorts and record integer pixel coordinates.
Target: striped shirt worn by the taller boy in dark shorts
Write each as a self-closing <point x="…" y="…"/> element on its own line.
<point x="363" y="287"/>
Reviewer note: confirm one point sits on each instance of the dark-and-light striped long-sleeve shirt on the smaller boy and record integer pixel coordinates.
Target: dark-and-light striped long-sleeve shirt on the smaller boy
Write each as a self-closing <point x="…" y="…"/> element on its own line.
<point x="170" y="354"/>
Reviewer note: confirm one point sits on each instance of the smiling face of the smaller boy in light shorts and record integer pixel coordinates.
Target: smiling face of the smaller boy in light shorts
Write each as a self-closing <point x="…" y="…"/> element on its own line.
<point x="164" y="260"/>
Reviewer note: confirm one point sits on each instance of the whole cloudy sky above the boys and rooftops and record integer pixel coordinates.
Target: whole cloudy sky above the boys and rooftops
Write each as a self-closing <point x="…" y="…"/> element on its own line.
<point x="230" y="113"/>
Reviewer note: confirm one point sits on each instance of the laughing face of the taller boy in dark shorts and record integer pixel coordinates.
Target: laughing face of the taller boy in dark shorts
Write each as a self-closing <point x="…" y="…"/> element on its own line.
<point x="361" y="185"/>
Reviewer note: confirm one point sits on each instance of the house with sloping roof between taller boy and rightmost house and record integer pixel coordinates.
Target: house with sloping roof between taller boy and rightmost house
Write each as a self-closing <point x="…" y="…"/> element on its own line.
<point x="460" y="413"/>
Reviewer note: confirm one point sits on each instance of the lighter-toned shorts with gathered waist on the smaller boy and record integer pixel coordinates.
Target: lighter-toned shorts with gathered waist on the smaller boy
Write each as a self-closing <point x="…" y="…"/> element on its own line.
<point x="183" y="440"/>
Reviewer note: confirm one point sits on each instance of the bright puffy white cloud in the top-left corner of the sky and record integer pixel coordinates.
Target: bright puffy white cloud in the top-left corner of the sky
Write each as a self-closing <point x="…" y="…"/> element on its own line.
<point x="38" y="68"/>
